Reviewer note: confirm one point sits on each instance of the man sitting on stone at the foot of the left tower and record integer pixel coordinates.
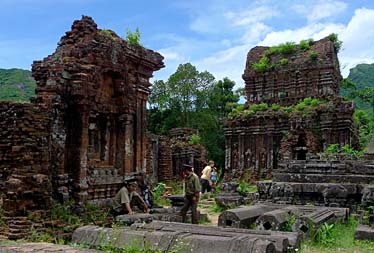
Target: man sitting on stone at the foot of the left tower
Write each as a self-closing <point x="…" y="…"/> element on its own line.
<point x="127" y="198"/>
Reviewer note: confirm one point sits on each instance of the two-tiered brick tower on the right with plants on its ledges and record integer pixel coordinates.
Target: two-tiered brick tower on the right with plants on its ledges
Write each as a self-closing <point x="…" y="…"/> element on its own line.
<point x="257" y="139"/>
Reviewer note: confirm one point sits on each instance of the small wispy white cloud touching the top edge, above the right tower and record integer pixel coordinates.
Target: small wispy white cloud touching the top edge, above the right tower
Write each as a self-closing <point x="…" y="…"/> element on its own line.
<point x="322" y="9"/>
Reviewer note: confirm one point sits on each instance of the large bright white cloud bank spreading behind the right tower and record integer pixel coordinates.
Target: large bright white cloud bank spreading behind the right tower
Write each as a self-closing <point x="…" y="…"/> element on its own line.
<point x="229" y="58"/>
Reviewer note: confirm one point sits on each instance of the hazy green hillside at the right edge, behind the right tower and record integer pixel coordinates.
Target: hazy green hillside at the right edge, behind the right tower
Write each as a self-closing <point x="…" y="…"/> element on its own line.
<point x="362" y="76"/>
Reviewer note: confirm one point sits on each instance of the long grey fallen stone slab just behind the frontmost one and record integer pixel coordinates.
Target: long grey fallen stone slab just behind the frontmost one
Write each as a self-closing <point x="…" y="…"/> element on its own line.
<point x="282" y="240"/>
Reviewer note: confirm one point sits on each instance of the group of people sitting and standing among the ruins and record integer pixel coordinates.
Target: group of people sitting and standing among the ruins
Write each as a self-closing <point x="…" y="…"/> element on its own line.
<point x="128" y="198"/>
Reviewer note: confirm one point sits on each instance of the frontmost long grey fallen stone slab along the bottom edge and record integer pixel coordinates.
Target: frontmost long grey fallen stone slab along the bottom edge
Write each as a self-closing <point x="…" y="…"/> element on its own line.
<point x="169" y="240"/>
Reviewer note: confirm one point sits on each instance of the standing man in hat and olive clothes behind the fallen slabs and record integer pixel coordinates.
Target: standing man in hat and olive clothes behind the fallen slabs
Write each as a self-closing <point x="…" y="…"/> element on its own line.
<point x="192" y="193"/>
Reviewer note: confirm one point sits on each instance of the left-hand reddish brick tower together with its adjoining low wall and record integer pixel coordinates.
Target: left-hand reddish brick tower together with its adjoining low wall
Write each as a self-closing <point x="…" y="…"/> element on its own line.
<point x="87" y="126"/>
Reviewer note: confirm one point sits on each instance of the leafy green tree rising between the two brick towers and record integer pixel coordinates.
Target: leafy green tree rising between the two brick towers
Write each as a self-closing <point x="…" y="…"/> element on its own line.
<point x="190" y="98"/>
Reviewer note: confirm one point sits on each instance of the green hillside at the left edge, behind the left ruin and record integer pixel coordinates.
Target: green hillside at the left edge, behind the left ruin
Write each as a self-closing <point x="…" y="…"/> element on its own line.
<point x="16" y="85"/>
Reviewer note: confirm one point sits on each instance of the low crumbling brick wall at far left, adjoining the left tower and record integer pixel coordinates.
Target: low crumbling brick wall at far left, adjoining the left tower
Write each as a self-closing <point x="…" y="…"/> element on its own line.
<point x="26" y="182"/>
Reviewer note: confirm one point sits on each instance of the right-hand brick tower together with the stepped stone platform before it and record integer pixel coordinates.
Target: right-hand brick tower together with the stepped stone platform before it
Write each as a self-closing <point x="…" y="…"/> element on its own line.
<point x="285" y="141"/>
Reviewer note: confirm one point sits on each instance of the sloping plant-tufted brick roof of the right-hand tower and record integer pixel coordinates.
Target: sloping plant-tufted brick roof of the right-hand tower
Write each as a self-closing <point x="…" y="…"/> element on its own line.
<point x="326" y="57"/>
